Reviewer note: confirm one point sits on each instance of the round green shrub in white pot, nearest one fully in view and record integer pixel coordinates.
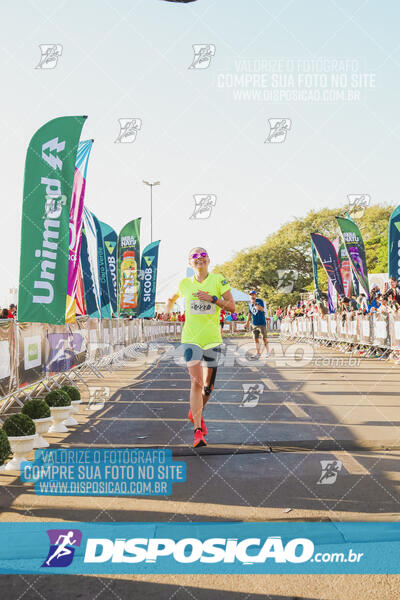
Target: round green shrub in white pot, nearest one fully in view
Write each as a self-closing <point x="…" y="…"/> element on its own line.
<point x="21" y="433"/>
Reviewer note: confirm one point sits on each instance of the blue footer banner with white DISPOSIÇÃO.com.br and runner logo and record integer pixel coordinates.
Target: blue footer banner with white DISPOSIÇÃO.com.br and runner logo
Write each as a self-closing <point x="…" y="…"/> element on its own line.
<point x="214" y="548"/>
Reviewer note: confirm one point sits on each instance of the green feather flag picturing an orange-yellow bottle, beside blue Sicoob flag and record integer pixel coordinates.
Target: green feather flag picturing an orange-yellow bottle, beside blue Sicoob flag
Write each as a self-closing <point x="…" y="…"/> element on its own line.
<point x="128" y="268"/>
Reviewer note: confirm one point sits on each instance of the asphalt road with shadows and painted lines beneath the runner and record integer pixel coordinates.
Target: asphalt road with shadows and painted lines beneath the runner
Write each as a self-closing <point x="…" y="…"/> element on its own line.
<point x="271" y="422"/>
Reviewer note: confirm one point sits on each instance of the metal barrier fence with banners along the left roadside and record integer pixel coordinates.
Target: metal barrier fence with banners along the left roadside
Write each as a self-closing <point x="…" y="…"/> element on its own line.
<point x="37" y="354"/>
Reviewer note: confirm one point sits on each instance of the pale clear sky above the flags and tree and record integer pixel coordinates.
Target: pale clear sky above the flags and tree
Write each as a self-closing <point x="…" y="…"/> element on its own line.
<point x="130" y="58"/>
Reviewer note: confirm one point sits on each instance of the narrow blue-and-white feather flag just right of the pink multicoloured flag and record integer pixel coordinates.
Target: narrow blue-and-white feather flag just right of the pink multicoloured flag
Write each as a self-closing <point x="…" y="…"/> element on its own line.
<point x="89" y="265"/>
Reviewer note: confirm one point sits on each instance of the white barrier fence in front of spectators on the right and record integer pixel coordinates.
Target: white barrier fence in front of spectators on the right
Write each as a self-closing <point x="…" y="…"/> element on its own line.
<point x="373" y="330"/>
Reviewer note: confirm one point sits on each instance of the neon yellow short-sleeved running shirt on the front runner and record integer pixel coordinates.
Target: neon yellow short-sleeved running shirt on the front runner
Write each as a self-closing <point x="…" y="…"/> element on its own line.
<point x="202" y="325"/>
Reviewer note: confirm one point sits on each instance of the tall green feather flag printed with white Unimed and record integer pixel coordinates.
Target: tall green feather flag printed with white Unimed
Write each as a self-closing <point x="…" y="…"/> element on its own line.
<point x="48" y="181"/>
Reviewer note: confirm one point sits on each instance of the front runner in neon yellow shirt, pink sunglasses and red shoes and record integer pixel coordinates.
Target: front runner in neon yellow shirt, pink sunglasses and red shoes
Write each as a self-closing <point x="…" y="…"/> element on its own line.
<point x="205" y="295"/>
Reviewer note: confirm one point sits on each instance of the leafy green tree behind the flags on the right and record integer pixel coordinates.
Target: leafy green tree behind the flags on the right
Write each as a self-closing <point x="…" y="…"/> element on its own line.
<point x="289" y="248"/>
